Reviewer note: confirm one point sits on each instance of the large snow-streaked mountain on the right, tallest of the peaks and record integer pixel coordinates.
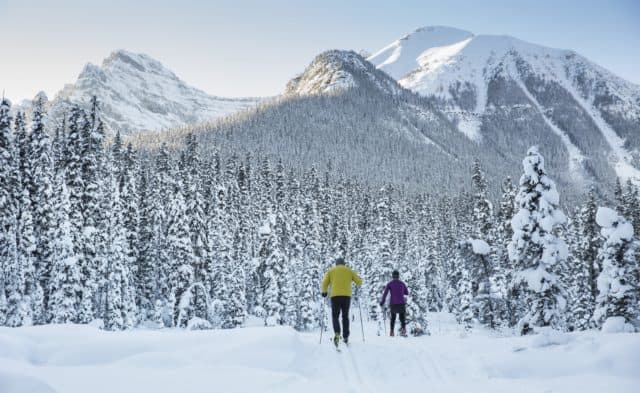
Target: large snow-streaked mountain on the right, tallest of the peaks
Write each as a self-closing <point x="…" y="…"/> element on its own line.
<point x="491" y="85"/>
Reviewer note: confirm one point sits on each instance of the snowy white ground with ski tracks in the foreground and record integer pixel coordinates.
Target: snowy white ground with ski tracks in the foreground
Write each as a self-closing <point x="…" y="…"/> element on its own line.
<point x="84" y="359"/>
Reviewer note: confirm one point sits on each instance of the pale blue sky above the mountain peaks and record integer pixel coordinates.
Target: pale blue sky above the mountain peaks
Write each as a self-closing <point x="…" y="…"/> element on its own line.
<point x="252" y="48"/>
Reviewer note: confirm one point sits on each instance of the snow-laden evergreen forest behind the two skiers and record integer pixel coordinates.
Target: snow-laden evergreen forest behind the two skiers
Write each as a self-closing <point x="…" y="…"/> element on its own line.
<point x="181" y="238"/>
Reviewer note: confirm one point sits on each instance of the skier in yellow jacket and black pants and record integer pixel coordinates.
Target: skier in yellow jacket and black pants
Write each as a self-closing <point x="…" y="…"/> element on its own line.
<point x="340" y="278"/>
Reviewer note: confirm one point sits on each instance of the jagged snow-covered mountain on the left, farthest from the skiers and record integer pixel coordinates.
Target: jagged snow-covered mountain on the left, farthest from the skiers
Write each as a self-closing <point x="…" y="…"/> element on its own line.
<point x="137" y="93"/>
